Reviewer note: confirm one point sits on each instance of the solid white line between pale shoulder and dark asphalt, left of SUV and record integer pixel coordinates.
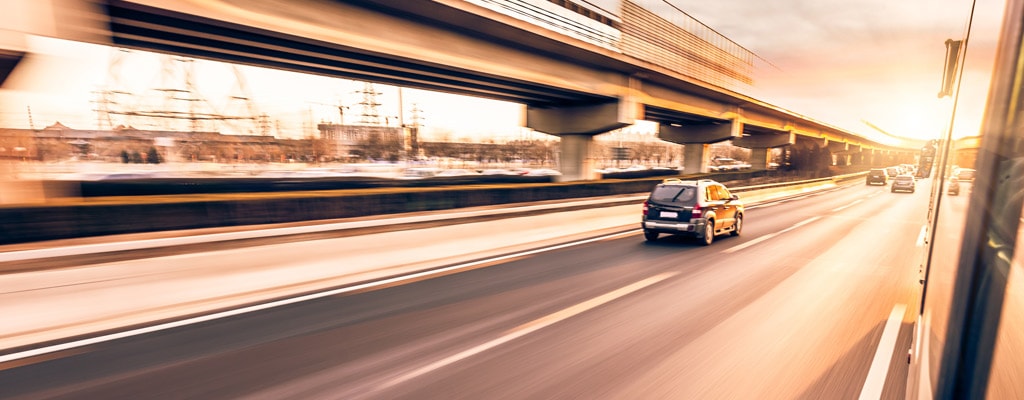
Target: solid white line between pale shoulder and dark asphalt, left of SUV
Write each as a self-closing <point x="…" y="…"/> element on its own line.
<point x="285" y="302"/>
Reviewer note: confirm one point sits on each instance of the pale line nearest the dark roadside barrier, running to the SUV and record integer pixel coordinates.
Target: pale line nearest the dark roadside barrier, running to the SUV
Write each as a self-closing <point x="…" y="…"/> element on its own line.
<point x="271" y="233"/>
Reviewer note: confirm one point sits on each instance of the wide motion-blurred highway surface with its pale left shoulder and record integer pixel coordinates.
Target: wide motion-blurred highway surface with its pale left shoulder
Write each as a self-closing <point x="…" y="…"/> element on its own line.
<point x="816" y="300"/>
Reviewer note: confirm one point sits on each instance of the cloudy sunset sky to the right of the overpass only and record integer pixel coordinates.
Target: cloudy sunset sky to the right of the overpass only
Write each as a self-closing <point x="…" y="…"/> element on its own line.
<point x="844" y="62"/>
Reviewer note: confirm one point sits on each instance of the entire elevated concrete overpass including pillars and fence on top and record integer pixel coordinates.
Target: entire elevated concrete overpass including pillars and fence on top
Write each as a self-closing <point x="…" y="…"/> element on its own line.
<point x="580" y="69"/>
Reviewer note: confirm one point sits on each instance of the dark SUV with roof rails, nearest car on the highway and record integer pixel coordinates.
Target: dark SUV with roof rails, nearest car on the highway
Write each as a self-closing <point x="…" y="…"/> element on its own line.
<point x="701" y="209"/>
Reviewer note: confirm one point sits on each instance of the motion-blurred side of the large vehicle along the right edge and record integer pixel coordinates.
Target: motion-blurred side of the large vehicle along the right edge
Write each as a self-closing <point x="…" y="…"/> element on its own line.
<point x="970" y="339"/>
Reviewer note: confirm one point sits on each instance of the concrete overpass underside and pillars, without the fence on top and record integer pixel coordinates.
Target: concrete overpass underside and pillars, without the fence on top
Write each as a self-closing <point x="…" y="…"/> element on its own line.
<point x="570" y="88"/>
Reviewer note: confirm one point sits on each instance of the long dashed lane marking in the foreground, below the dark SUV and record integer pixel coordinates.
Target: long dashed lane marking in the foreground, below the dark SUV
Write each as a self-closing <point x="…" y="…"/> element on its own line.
<point x="530" y="328"/>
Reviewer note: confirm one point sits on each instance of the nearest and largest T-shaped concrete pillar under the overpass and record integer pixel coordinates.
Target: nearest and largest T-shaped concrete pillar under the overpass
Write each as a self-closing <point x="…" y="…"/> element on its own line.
<point x="577" y="126"/>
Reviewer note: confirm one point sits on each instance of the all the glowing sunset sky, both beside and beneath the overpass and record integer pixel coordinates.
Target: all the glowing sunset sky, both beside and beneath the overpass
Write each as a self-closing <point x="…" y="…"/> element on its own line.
<point x="838" y="62"/>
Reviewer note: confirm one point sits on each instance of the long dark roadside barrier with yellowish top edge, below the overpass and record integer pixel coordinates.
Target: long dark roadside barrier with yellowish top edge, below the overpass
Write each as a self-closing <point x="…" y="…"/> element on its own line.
<point x="102" y="216"/>
